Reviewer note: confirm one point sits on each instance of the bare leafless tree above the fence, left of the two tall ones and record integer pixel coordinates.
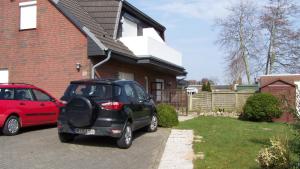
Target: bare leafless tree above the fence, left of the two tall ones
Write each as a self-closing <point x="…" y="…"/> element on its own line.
<point x="238" y="37"/>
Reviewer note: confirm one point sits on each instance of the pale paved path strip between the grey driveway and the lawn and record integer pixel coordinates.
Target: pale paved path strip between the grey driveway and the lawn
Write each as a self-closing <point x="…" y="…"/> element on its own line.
<point x="178" y="152"/>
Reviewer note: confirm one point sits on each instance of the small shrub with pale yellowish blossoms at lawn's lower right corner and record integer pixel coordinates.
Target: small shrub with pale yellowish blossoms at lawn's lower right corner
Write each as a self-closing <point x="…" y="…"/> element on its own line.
<point x="276" y="156"/>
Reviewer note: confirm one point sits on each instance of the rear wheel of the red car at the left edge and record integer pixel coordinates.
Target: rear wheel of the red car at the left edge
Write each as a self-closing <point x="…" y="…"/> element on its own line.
<point x="11" y="126"/>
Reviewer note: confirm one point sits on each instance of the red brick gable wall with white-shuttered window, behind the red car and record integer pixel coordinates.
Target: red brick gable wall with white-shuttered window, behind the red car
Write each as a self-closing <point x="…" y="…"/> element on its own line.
<point x="45" y="56"/>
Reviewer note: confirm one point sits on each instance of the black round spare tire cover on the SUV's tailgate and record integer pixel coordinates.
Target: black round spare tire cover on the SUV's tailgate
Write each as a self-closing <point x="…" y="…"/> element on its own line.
<point x="79" y="112"/>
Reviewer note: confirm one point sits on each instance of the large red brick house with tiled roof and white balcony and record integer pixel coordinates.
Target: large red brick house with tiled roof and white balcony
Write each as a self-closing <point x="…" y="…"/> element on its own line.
<point x="51" y="42"/>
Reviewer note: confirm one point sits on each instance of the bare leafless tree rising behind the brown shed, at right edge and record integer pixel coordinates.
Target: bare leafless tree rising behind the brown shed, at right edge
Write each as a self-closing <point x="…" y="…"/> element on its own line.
<point x="282" y="39"/>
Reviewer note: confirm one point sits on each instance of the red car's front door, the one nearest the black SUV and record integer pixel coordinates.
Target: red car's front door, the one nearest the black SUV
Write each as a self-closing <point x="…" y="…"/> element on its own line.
<point x="48" y="107"/>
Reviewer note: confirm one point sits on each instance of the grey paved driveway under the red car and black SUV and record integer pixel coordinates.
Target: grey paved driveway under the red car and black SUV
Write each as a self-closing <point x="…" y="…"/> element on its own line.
<point x="39" y="148"/>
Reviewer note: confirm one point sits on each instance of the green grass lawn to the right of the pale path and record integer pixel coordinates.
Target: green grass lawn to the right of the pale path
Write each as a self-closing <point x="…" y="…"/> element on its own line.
<point x="231" y="143"/>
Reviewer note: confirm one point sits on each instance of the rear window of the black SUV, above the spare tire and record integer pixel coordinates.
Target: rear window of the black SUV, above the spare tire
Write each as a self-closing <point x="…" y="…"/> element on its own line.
<point x="99" y="91"/>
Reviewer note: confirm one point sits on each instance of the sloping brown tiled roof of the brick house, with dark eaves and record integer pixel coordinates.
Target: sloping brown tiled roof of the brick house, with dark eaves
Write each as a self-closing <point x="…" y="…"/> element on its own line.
<point x="80" y="13"/>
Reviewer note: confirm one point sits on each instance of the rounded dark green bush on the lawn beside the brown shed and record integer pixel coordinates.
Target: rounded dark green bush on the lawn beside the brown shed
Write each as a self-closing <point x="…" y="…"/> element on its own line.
<point x="262" y="107"/>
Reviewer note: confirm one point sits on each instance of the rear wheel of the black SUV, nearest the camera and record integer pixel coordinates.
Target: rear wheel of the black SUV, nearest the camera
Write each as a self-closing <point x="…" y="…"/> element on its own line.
<point x="125" y="140"/>
